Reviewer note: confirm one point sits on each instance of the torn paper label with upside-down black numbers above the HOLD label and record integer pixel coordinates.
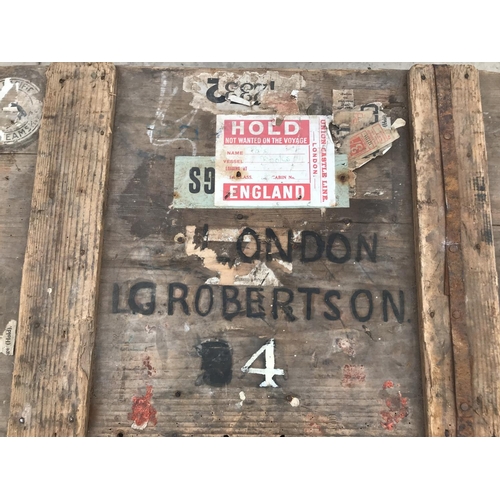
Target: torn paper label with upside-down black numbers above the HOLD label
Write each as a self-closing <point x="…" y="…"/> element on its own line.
<point x="248" y="92"/>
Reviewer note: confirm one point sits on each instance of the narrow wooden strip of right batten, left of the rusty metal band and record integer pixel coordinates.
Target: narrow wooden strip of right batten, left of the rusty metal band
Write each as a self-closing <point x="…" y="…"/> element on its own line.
<point x="429" y="226"/>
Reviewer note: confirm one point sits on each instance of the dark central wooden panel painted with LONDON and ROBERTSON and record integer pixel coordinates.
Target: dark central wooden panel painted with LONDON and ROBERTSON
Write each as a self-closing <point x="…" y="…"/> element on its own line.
<point x="355" y="375"/>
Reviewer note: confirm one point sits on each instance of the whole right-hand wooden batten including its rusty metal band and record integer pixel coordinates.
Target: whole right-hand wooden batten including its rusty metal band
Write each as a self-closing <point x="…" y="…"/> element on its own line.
<point x="457" y="278"/>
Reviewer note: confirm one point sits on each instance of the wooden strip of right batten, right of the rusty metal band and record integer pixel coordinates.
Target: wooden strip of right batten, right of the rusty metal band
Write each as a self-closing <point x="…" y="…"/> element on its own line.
<point x="481" y="312"/>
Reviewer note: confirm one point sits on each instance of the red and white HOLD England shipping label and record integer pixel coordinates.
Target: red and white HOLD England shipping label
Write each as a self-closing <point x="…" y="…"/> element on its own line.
<point x="259" y="163"/>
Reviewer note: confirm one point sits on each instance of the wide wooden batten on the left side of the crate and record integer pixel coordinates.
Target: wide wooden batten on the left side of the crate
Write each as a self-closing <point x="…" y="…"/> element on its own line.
<point x="59" y="290"/>
